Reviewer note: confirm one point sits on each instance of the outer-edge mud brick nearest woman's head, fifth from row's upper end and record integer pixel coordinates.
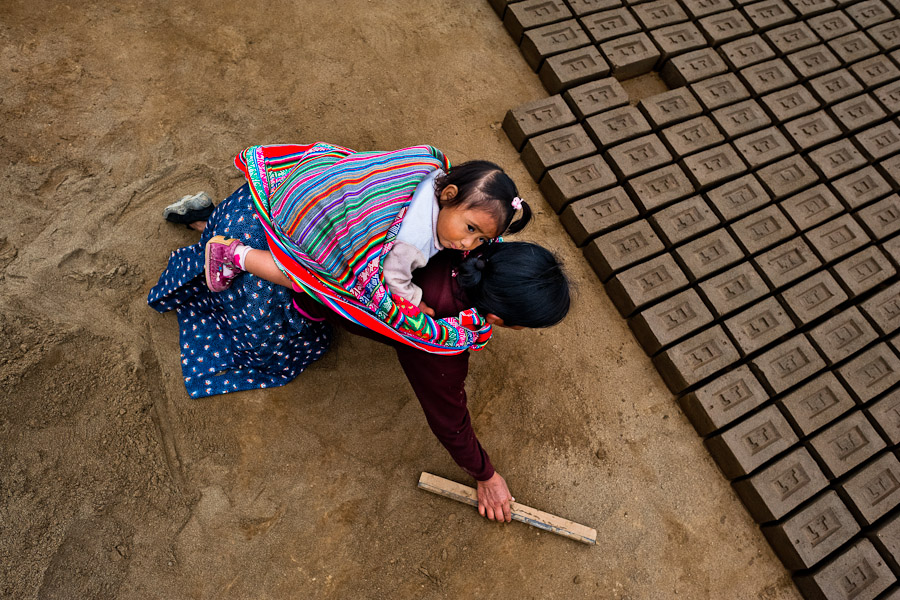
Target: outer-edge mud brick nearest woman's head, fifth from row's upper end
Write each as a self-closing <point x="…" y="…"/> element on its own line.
<point x="622" y="248"/>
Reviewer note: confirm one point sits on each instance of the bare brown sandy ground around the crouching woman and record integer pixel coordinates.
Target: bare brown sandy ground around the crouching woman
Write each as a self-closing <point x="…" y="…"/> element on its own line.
<point x="114" y="484"/>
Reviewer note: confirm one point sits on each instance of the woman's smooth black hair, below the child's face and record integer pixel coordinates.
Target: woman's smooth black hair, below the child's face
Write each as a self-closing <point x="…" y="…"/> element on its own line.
<point x="521" y="283"/>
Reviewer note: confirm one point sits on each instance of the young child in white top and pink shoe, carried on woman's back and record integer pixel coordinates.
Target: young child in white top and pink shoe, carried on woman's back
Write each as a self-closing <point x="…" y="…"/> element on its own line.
<point x="472" y="204"/>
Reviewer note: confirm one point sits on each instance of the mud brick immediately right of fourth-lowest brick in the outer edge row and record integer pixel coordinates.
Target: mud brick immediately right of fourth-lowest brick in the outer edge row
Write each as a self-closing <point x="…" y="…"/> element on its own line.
<point x="817" y="403"/>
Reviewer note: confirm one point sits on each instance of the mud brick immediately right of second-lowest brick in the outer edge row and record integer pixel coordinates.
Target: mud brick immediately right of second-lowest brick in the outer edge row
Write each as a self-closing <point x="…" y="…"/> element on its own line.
<point x="874" y="490"/>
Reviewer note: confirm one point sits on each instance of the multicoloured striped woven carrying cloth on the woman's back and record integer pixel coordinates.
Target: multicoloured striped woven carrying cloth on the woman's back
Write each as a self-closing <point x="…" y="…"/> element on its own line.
<point x="332" y="214"/>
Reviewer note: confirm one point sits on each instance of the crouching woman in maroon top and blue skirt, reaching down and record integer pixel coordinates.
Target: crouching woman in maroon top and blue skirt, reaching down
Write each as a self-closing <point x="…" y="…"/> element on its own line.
<point x="258" y="334"/>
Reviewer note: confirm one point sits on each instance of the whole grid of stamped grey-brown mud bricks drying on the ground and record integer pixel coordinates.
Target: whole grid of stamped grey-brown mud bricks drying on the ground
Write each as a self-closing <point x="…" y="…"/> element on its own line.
<point x="746" y="224"/>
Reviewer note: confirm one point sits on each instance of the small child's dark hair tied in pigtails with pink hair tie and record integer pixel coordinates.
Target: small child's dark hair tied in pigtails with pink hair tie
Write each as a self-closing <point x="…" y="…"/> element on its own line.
<point x="485" y="186"/>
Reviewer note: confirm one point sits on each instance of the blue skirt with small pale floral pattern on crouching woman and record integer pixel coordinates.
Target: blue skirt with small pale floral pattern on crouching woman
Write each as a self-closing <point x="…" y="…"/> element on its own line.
<point x="248" y="336"/>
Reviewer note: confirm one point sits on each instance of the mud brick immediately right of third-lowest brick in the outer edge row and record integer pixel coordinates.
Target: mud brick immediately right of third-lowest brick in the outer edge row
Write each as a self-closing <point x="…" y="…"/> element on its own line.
<point x="846" y="444"/>
